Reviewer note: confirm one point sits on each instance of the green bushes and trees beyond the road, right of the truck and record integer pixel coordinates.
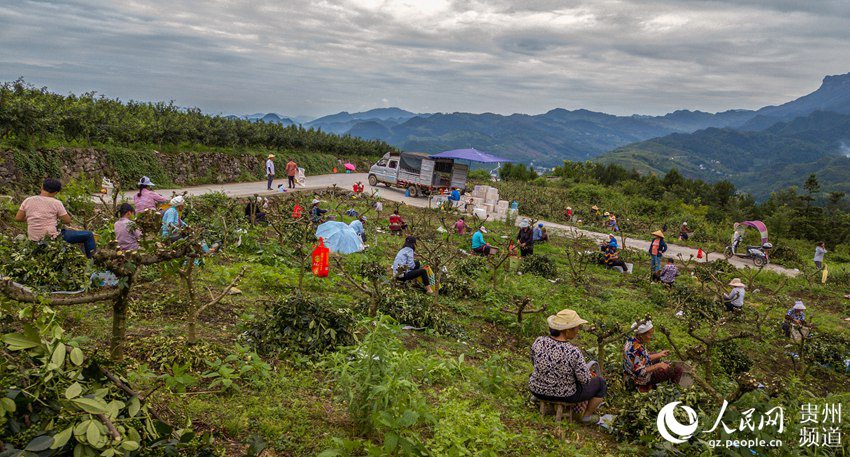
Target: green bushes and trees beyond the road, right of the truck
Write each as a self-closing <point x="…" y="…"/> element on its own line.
<point x="644" y="203"/>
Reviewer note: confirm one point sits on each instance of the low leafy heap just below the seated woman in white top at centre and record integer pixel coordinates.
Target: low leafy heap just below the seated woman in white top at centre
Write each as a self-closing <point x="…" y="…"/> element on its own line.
<point x="416" y="309"/>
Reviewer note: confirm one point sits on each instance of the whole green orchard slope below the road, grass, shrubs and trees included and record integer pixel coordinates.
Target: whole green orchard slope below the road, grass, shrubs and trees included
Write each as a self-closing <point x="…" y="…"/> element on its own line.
<point x="294" y="365"/>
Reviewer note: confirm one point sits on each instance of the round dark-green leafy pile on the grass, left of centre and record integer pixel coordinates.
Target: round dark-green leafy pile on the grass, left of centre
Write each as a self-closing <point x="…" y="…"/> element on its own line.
<point x="301" y="323"/>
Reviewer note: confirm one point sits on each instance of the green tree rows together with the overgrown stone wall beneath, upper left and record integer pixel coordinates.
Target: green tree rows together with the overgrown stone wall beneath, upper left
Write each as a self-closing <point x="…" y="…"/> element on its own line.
<point x="47" y="134"/>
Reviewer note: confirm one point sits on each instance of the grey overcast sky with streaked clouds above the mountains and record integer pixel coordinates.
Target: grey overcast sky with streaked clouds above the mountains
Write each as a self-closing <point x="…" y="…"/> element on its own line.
<point x="314" y="57"/>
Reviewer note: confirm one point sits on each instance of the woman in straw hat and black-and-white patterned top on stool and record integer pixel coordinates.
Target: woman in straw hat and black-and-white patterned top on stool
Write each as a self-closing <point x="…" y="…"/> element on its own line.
<point x="560" y="372"/>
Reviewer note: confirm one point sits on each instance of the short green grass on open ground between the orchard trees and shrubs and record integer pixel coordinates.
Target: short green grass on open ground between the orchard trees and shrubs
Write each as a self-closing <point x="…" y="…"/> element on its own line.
<point x="298" y="412"/>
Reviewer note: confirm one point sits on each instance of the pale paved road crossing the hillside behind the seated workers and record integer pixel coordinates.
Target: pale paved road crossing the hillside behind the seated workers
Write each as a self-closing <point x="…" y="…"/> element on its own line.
<point x="345" y="181"/>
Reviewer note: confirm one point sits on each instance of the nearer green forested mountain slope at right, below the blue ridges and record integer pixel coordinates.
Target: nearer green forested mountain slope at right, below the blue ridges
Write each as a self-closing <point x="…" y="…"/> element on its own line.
<point x="758" y="162"/>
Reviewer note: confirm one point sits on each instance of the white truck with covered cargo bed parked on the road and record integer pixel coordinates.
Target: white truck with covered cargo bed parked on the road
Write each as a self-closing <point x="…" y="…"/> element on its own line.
<point x="419" y="173"/>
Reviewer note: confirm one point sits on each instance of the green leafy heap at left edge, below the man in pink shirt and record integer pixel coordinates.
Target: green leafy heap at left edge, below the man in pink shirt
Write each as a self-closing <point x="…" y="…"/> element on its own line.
<point x="48" y="265"/>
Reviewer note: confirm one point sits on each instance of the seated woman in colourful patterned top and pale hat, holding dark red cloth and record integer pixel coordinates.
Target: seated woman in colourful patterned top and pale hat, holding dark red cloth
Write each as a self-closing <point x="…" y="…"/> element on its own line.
<point x="644" y="368"/>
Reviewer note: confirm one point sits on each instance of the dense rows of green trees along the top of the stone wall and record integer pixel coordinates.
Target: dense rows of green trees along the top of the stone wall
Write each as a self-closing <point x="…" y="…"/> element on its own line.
<point x="35" y="117"/>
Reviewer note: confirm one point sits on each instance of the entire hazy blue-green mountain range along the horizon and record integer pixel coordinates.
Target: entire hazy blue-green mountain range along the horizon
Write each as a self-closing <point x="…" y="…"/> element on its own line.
<point x="756" y="149"/>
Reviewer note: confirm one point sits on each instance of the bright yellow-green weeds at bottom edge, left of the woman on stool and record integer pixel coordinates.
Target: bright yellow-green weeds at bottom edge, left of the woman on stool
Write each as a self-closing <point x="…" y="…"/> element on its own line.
<point x="465" y="428"/>
